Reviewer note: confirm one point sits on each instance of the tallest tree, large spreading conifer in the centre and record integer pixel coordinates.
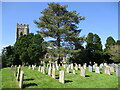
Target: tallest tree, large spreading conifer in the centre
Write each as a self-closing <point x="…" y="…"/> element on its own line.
<point x="61" y="25"/>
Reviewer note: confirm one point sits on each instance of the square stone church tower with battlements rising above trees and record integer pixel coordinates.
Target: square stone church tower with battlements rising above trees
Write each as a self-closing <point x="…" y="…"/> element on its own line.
<point x="22" y="29"/>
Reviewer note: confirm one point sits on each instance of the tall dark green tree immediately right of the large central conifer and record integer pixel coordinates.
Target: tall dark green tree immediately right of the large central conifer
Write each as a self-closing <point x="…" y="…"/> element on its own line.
<point x="94" y="49"/>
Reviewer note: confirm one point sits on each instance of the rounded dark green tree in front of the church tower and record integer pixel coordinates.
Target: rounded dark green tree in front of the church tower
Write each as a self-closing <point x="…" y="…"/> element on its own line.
<point x="29" y="48"/>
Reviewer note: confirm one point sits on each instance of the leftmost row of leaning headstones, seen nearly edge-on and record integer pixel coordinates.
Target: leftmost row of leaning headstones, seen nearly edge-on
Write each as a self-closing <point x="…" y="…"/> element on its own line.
<point x="19" y="75"/>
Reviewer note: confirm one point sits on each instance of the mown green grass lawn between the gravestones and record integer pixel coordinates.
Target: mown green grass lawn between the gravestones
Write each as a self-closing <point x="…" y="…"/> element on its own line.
<point x="35" y="79"/>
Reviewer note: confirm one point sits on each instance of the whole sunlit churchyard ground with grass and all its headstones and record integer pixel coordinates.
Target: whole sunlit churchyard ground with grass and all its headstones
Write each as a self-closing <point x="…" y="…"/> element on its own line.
<point x="61" y="76"/>
